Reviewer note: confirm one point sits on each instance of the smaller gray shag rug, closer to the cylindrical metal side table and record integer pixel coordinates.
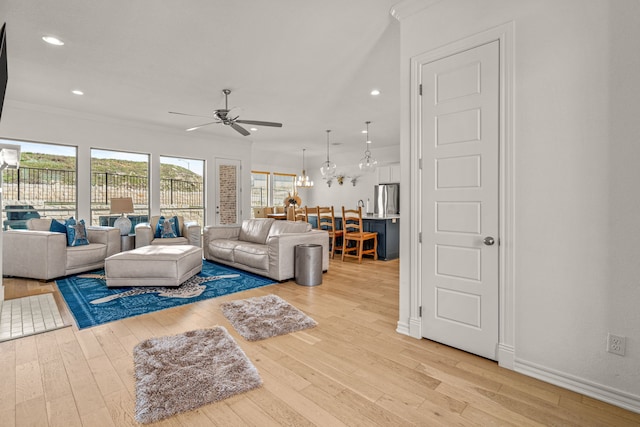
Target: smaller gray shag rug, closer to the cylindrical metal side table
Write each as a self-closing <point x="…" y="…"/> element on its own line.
<point x="263" y="317"/>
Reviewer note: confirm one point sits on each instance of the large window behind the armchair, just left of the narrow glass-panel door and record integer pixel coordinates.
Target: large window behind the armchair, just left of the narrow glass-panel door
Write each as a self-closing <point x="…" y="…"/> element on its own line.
<point x="182" y="188"/>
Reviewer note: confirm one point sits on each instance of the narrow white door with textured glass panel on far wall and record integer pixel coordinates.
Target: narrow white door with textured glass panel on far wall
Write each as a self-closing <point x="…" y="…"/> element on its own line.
<point x="228" y="192"/>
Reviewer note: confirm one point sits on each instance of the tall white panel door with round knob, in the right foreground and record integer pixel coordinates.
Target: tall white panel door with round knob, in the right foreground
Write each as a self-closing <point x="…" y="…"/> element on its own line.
<point x="460" y="184"/>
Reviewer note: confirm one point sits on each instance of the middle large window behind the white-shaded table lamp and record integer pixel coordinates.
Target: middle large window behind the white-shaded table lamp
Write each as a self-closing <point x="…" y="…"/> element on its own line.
<point x="119" y="174"/>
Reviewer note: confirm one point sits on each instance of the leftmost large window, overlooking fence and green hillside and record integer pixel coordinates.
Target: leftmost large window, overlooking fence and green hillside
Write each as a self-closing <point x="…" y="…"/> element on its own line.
<point x="44" y="186"/>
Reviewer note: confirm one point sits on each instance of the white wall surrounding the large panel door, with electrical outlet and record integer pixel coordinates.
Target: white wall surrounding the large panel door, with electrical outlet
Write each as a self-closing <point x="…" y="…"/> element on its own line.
<point x="576" y="199"/>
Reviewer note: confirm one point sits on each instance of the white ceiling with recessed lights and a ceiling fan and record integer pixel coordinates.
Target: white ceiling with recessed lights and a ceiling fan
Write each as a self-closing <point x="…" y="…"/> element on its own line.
<point x="307" y="64"/>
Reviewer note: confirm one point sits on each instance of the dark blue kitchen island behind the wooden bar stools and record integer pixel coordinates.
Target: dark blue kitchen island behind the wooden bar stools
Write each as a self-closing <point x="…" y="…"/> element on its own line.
<point x="387" y="227"/>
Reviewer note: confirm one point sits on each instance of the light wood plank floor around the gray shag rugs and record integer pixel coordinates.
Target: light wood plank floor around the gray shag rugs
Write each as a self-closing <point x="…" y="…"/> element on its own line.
<point x="352" y="369"/>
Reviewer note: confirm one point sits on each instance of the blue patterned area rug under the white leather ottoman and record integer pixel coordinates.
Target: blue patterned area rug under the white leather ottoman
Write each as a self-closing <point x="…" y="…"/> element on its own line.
<point x="92" y="303"/>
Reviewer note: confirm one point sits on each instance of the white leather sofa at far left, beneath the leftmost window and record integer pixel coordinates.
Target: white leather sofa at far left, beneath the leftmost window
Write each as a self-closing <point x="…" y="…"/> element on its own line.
<point x="38" y="253"/>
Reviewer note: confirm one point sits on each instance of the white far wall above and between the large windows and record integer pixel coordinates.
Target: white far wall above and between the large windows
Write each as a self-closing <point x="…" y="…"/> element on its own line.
<point x="27" y="122"/>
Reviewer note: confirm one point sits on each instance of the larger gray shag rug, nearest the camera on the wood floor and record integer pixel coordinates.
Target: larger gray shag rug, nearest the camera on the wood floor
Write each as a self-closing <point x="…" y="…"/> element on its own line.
<point x="182" y="372"/>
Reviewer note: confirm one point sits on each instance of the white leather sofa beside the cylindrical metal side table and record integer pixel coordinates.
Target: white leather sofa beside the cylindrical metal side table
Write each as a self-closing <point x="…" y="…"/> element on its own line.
<point x="263" y="246"/>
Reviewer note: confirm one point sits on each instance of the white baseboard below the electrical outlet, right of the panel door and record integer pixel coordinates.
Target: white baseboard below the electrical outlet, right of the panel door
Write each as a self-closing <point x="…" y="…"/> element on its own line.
<point x="580" y="385"/>
